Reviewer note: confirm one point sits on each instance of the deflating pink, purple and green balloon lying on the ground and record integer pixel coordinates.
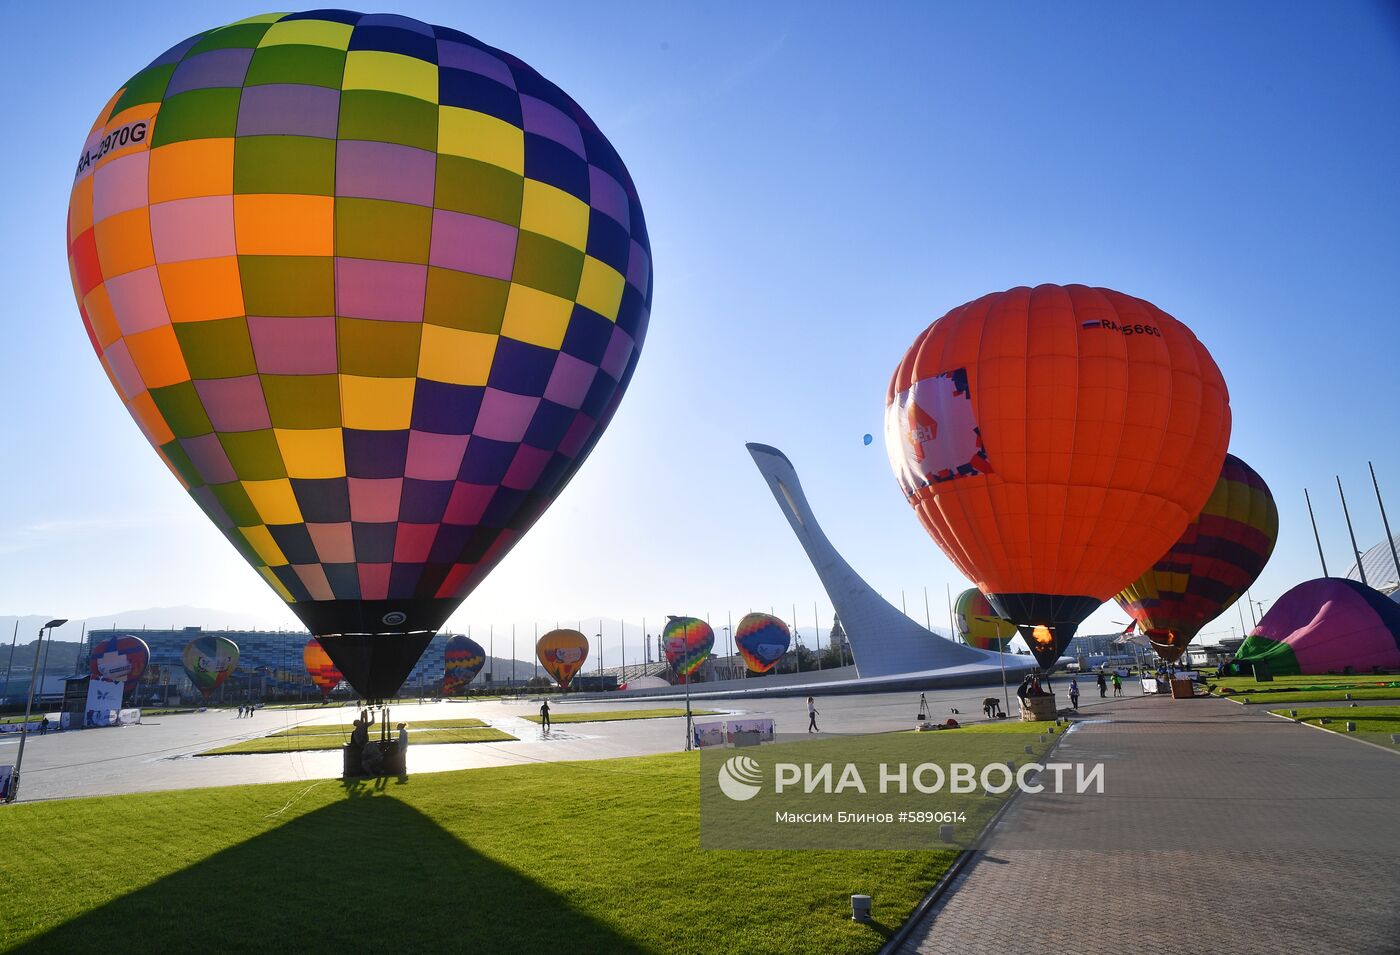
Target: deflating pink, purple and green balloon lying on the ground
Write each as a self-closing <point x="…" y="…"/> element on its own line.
<point x="1325" y="627"/>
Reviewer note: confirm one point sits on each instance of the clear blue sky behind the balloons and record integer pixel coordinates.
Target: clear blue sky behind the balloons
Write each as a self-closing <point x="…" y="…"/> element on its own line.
<point x="820" y="184"/>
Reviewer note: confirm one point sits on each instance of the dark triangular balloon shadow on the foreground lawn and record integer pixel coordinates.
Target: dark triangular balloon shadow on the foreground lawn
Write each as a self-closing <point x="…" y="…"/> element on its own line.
<point x="366" y="873"/>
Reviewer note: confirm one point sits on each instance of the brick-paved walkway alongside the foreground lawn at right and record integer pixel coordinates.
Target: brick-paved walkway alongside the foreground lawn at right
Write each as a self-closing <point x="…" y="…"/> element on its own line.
<point x="1221" y="831"/>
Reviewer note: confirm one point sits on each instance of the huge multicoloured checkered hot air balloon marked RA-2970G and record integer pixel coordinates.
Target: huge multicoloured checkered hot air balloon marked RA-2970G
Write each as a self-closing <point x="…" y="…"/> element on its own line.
<point x="373" y="291"/>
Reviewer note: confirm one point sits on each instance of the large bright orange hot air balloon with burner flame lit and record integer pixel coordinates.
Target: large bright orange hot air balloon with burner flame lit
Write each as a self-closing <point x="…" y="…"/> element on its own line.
<point x="1055" y="443"/>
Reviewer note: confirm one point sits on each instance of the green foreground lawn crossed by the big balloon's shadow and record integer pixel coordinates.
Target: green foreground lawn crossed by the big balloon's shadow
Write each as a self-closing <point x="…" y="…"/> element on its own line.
<point x="575" y="856"/>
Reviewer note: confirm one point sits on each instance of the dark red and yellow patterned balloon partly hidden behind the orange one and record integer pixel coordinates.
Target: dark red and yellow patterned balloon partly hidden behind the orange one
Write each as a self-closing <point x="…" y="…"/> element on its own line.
<point x="1216" y="561"/>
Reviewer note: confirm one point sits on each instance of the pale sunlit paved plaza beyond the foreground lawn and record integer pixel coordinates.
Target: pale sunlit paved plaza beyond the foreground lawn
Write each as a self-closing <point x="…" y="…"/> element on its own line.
<point x="160" y="753"/>
